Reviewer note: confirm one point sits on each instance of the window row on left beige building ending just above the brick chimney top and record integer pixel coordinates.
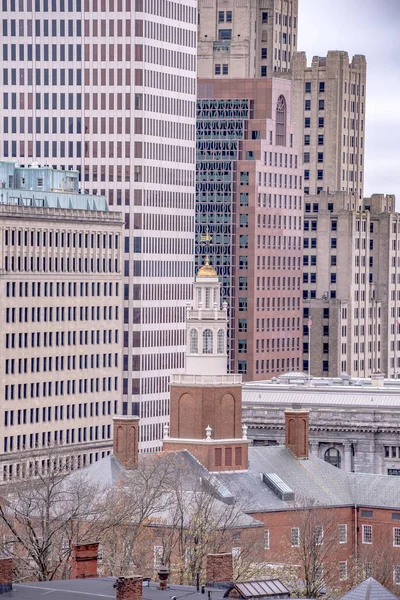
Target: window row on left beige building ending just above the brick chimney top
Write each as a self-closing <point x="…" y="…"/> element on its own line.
<point x="58" y="413"/>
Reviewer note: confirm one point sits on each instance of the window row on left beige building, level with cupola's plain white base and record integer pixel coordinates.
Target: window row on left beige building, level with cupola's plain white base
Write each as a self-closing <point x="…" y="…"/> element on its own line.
<point x="38" y="364"/>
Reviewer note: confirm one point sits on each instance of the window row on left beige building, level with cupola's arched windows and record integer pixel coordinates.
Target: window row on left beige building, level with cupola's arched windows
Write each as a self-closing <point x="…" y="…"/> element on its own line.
<point x="34" y="339"/>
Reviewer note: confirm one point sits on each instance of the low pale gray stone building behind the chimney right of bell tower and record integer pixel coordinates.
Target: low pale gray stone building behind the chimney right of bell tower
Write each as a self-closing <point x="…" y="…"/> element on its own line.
<point x="354" y="423"/>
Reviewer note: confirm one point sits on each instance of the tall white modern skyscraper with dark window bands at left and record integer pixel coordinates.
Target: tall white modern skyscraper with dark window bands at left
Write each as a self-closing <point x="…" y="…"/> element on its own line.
<point x="108" y="87"/>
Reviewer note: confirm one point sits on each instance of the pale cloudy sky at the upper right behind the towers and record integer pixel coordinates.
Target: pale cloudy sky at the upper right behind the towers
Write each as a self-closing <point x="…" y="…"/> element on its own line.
<point x="372" y="28"/>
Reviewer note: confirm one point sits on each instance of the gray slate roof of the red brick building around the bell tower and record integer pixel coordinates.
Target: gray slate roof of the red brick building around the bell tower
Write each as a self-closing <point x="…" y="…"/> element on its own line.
<point x="312" y="481"/>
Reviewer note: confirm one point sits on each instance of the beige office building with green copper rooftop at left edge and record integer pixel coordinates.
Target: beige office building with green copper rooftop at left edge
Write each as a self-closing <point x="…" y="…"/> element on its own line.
<point x="61" y="314"/>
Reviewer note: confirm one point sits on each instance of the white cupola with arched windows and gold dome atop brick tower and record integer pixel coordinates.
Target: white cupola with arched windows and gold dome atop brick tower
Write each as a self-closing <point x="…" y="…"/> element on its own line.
<point x="206" y="326"/>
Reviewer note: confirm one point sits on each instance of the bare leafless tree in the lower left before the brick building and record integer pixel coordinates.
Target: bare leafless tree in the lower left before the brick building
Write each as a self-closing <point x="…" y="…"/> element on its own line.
<point x="41" y="517"/>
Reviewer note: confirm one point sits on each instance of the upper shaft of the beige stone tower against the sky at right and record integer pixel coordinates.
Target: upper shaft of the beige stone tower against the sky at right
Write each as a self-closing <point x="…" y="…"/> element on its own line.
<point x="328" y="100"/>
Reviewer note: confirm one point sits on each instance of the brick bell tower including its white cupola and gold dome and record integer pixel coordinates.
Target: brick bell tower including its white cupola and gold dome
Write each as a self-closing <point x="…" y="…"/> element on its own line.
<point x="206" y="401"/>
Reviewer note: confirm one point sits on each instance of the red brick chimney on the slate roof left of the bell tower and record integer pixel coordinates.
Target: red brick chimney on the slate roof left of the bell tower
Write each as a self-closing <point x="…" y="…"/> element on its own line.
<point x="125" y="440"/>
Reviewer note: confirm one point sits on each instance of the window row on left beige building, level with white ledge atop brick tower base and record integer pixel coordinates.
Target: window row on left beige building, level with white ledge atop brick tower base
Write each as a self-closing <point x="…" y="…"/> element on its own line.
<point x="23" y="391"/>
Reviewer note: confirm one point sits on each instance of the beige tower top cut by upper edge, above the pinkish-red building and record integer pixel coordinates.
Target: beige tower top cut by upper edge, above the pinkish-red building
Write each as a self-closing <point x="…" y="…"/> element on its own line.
<point x="246" y="38"/>
